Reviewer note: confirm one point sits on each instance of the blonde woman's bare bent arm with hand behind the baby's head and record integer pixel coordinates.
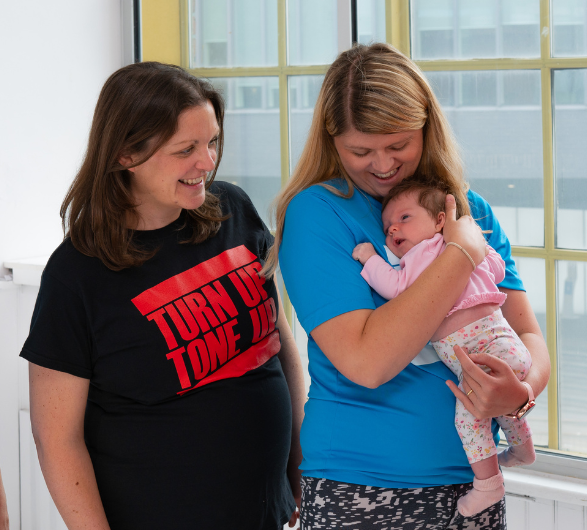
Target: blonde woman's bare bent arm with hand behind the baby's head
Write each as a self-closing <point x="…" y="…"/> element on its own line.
<point x="371" y="346"/>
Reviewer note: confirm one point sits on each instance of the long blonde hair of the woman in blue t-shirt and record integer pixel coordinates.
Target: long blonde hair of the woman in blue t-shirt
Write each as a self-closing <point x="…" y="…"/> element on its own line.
<point x="377" y="90"/>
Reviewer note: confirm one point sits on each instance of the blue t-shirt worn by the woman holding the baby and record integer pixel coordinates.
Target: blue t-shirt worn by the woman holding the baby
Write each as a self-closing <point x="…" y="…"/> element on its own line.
<point x="402" y="434"/>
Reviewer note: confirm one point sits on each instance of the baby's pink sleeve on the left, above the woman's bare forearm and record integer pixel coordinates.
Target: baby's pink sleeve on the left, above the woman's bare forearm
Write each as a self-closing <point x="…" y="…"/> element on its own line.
<point x="390" y="282"/>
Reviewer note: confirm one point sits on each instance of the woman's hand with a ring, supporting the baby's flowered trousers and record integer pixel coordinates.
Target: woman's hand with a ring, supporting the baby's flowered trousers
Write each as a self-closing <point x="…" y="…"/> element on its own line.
<point x="488" y="395"/>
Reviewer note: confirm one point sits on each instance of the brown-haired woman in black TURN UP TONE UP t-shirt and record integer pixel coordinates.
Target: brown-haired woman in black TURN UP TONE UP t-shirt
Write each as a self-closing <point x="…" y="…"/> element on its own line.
<point x="162" y="370"/>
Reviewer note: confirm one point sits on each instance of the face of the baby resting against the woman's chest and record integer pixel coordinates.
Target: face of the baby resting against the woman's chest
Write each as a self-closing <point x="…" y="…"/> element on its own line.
<point x="406" y="224"/>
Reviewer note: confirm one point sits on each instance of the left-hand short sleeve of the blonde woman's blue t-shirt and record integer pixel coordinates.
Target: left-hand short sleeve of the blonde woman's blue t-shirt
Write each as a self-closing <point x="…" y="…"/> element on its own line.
<point x="321" y="277"/>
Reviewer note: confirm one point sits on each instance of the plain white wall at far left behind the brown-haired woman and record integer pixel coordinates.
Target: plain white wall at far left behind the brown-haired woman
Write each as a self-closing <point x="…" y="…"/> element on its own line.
<point x="54" y="59"/>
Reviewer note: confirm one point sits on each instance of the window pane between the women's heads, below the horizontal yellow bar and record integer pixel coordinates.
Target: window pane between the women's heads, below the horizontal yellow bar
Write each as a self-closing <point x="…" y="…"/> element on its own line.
<point x="303" y="93"/>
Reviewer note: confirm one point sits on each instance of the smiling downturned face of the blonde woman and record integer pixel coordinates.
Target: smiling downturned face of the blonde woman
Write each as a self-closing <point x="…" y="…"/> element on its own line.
<point x="377" y="162"/>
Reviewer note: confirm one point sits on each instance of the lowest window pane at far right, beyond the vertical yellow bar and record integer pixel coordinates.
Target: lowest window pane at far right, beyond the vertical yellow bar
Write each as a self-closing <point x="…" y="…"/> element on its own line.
<point x="572" y="363"/>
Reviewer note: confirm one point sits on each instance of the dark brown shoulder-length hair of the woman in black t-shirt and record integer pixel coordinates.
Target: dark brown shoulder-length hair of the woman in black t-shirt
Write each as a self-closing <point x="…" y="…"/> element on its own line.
<point x="137" y="112"/>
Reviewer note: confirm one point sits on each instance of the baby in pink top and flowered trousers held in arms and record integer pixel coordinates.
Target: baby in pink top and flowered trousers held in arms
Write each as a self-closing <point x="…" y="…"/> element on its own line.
<point x="413" y="218"/>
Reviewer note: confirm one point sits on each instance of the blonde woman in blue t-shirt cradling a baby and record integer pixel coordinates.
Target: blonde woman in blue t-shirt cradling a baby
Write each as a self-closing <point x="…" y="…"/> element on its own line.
<point x="377" y="388"/>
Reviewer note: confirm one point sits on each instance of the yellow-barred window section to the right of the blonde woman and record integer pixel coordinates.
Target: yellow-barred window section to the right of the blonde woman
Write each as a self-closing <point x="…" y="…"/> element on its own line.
<point x="518" y="114"/>
